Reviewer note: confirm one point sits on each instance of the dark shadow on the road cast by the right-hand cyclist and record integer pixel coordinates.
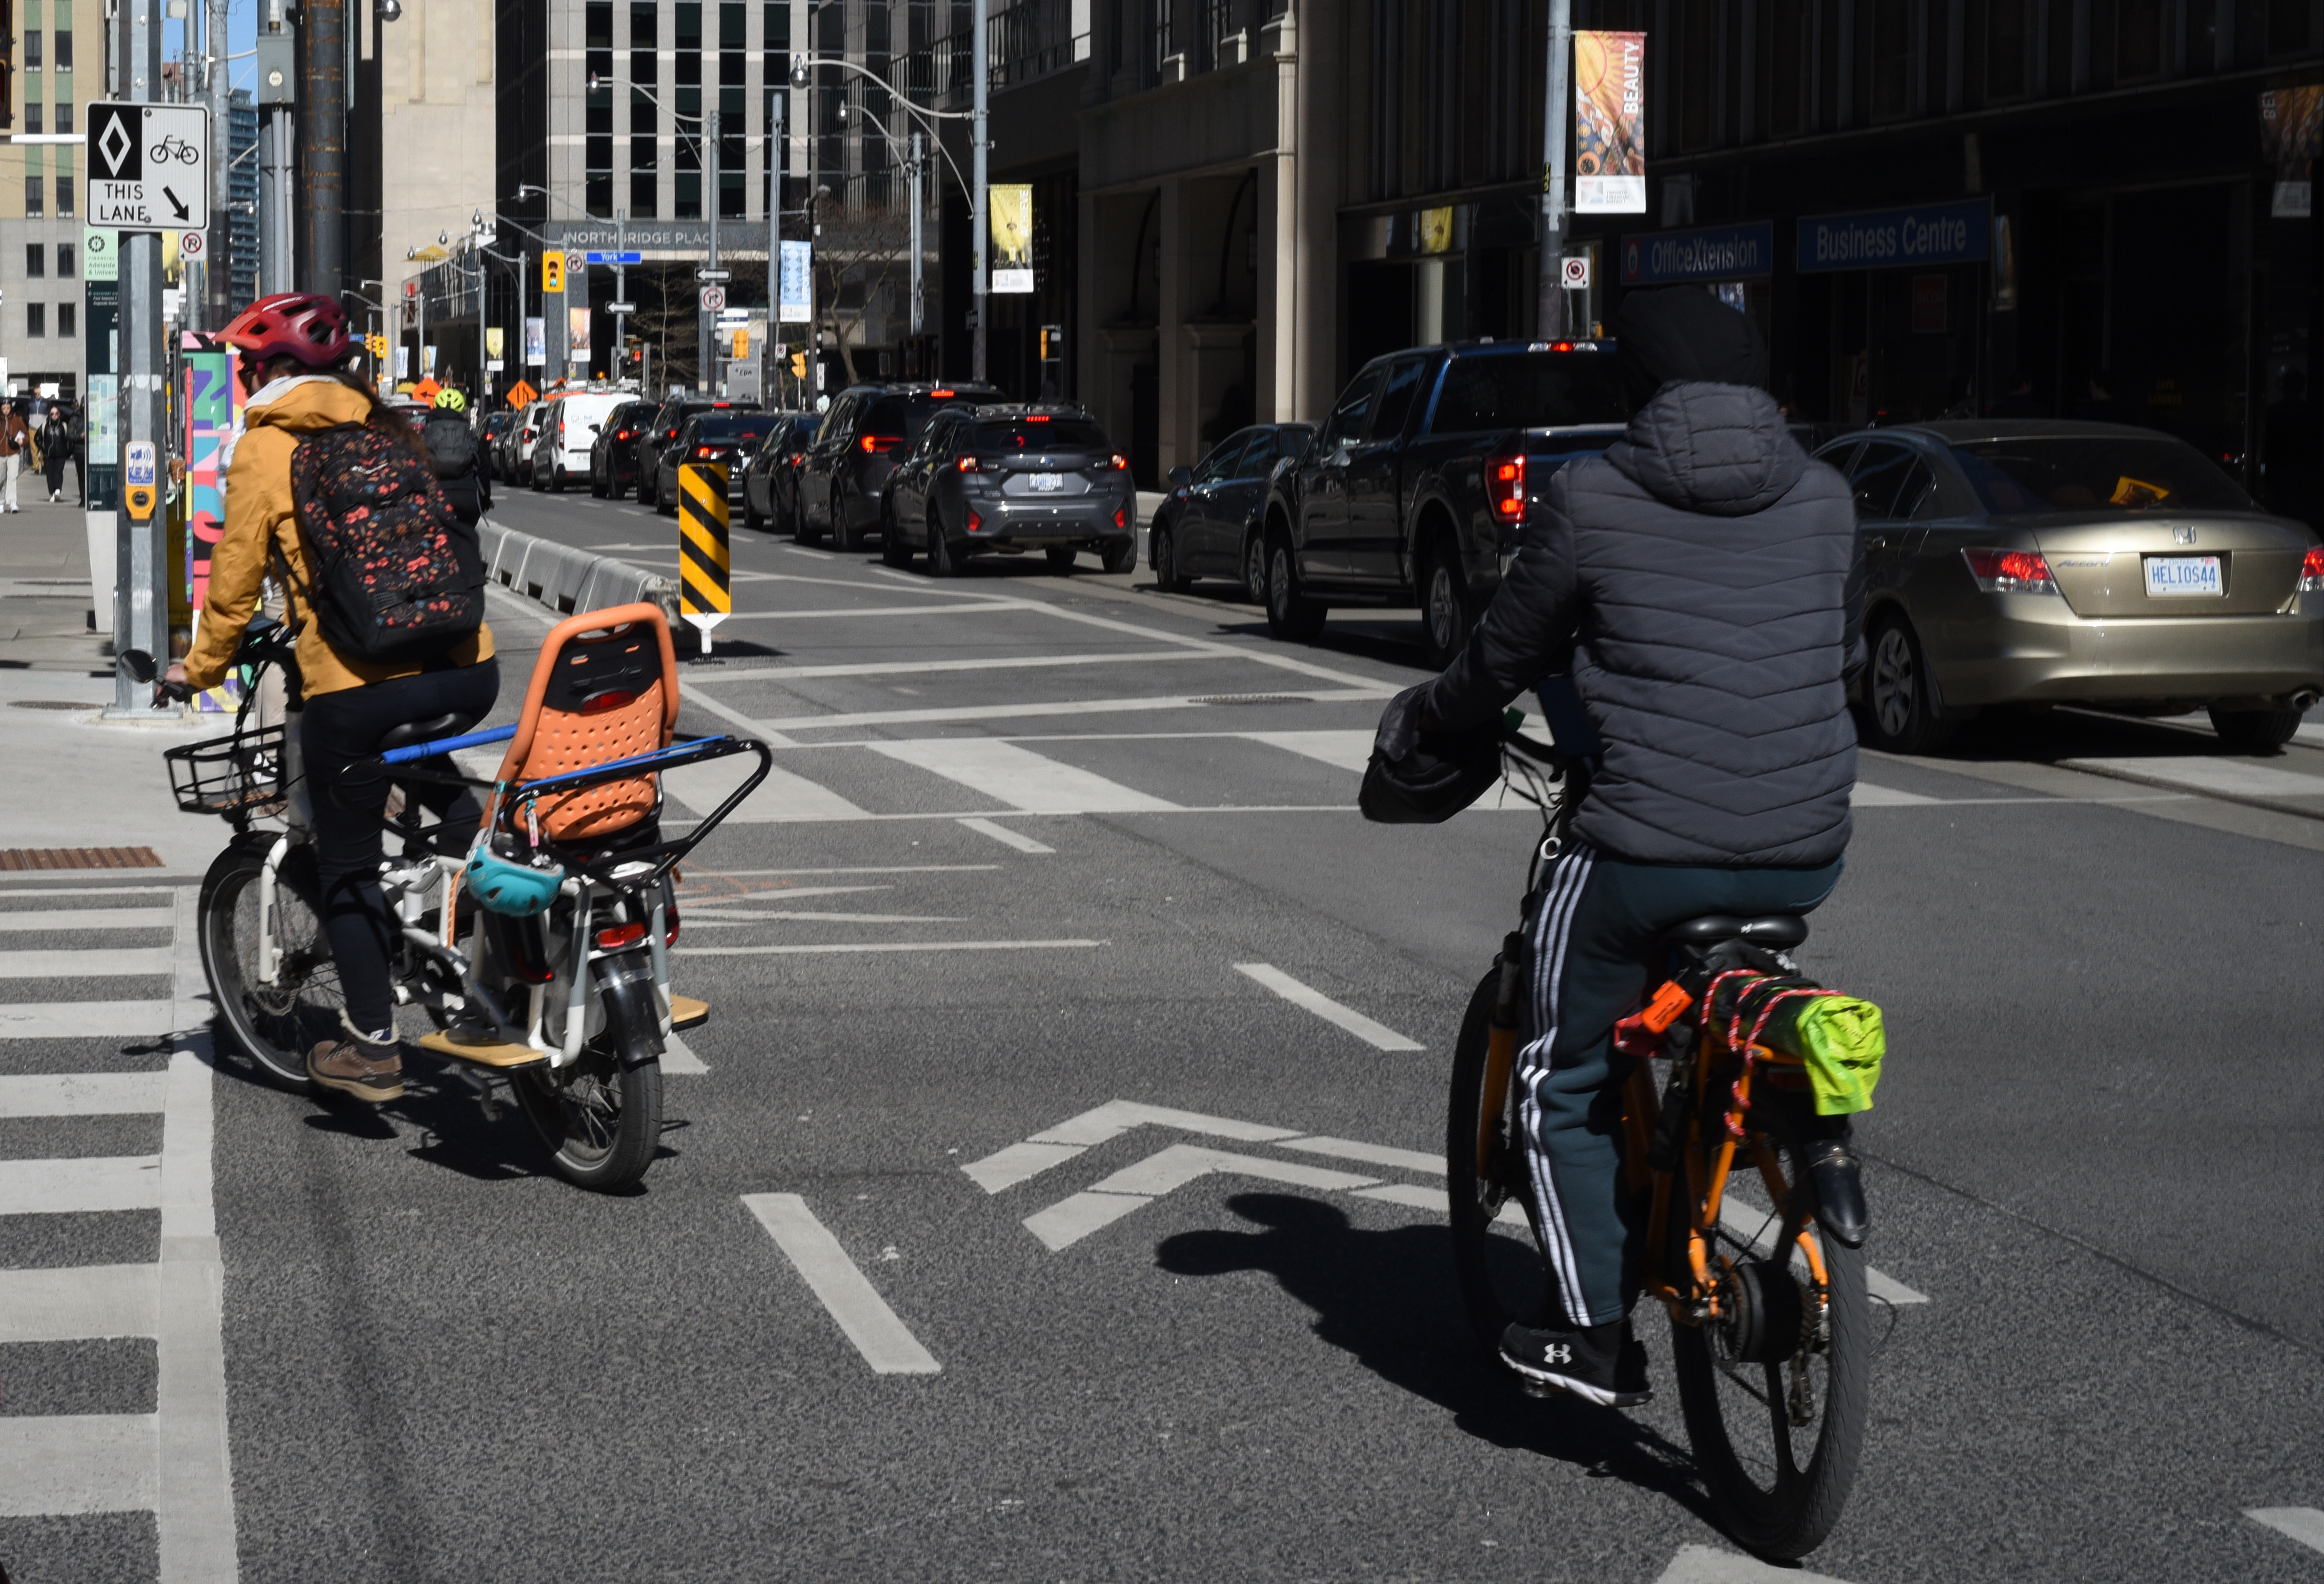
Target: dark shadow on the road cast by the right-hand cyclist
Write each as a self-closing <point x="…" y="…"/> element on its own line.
<point x="1393" y="1301"/>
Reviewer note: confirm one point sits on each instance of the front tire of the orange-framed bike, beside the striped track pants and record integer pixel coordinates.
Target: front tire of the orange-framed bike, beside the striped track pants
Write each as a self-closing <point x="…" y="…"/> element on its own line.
<point x="1495" y="1257"/>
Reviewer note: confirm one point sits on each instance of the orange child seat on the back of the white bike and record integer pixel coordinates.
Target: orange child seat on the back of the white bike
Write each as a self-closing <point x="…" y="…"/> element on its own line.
<point x="605" y="687"/>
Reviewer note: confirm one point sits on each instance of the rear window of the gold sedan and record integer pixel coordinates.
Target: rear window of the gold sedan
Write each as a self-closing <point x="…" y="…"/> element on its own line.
<point x="2097" y="473"/>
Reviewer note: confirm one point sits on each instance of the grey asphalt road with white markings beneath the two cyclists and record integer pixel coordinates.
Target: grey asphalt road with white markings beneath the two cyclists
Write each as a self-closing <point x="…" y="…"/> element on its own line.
<point x="1033" y="850"/>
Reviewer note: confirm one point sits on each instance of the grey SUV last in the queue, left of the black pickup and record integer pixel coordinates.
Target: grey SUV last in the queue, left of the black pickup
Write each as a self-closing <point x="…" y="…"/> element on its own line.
<point x="1012" y="478"/>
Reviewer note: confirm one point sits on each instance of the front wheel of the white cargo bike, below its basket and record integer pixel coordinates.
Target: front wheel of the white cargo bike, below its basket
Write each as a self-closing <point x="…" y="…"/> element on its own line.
<point x="273" y="1027"/>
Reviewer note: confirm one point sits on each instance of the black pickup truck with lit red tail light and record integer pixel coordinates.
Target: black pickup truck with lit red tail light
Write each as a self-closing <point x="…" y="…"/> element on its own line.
<point x="1416" y="487"/>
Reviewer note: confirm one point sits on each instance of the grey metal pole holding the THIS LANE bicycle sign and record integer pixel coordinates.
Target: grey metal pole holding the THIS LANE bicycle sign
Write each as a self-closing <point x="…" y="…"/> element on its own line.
<point x="141" y="545"/>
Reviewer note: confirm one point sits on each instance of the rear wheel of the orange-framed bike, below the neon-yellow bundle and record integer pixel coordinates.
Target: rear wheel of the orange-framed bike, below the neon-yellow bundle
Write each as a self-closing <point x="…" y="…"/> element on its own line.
<point x="1777" y="1392"/>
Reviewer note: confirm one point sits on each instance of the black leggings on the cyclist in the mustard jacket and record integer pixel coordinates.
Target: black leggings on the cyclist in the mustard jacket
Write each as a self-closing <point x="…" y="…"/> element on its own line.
<point x="350" y="808"/>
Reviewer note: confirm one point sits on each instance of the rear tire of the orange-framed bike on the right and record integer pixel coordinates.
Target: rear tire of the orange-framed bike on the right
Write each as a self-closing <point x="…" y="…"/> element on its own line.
<point x="1791" y="1513"/>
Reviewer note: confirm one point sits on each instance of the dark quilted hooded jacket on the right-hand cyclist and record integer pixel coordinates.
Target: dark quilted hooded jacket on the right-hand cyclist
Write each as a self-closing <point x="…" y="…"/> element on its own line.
<point x="1702" y="587"/>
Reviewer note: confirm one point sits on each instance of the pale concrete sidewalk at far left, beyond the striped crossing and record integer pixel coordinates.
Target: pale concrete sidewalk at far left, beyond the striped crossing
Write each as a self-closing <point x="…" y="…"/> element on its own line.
<point x="71" y="780"/>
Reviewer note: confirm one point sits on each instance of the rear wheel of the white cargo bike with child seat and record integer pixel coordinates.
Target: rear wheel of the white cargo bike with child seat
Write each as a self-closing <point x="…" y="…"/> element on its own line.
<point x="601" y="1120"/>
